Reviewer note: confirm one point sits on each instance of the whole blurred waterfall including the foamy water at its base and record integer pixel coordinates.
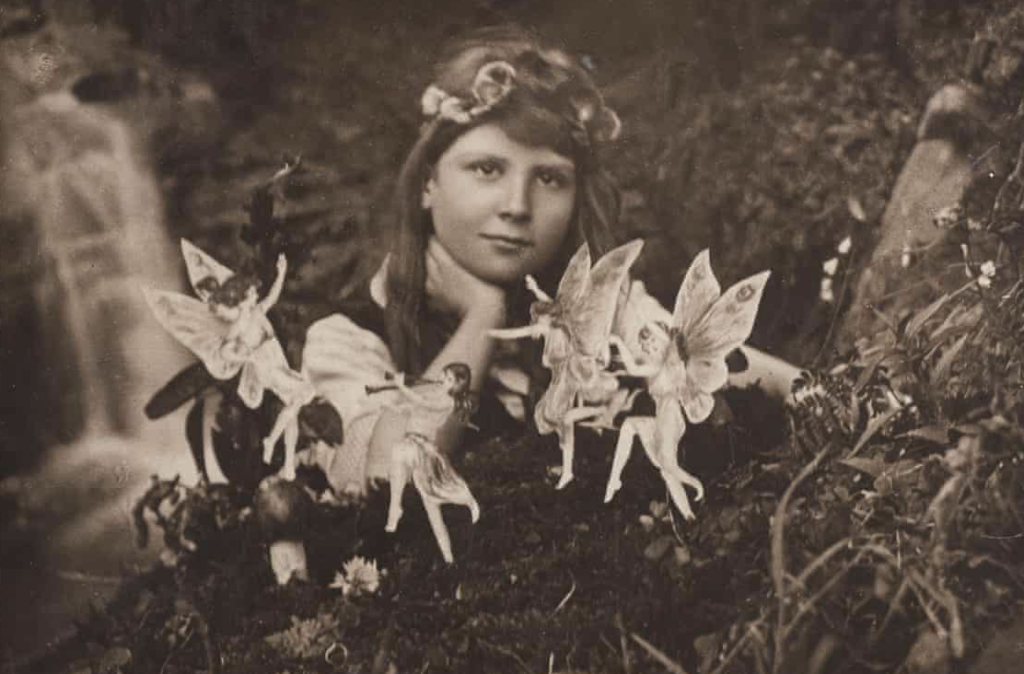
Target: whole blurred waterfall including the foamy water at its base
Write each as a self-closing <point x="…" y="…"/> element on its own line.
<point x="78" y="177"/>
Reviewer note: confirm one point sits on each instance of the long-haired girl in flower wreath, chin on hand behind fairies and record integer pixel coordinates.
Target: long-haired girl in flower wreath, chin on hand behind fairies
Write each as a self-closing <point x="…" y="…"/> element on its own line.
<point x="504" y="182"/>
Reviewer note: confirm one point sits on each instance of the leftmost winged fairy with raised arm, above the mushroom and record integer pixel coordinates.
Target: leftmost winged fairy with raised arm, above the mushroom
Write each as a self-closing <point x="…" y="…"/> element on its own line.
<point x="228" y="329"/>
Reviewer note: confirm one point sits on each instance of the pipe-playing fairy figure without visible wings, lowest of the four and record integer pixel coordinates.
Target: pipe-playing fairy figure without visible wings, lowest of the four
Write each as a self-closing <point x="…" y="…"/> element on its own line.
<point x="417" y="459"/>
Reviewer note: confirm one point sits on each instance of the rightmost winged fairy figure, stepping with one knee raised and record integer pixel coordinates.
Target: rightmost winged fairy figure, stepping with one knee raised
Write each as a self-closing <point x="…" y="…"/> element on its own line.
<point x="682" y="358"/>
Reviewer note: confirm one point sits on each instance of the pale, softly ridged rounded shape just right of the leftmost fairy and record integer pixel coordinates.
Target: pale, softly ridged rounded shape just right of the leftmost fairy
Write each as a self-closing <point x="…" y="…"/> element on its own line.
<point x="342" y="360"/>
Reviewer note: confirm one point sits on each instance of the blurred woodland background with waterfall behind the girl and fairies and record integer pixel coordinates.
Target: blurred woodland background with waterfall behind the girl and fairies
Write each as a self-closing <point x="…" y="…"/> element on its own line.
<point x="771" y="133"/>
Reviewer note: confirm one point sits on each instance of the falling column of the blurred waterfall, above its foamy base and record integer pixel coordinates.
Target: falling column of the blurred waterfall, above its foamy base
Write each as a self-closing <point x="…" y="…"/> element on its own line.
<point x="98" y="213"/>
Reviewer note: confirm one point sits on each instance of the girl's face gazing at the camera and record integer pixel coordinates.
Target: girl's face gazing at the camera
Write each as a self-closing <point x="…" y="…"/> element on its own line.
<point x="502" y="209"/>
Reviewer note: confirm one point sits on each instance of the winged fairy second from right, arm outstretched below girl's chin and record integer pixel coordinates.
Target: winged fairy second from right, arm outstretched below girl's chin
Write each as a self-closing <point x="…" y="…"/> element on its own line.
<point x="576" y="326"/>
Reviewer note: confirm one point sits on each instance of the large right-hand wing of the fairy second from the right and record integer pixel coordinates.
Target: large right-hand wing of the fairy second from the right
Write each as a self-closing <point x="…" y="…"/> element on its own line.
<point x="591" y="315"/>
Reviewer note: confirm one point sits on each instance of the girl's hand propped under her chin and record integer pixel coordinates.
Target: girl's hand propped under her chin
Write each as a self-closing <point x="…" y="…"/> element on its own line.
<point x="452" y="288"/>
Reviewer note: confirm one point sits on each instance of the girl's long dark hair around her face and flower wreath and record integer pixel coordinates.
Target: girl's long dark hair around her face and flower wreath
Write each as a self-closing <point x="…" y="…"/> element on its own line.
<point x="537" y="113"/>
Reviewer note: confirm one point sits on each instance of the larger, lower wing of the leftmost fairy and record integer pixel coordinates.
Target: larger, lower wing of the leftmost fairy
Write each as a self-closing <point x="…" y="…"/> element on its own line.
<point x="192" y="323"/>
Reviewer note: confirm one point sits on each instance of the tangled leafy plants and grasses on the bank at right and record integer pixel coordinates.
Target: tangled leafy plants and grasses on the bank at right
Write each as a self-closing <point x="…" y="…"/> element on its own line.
<point x="930" y="547"/>
